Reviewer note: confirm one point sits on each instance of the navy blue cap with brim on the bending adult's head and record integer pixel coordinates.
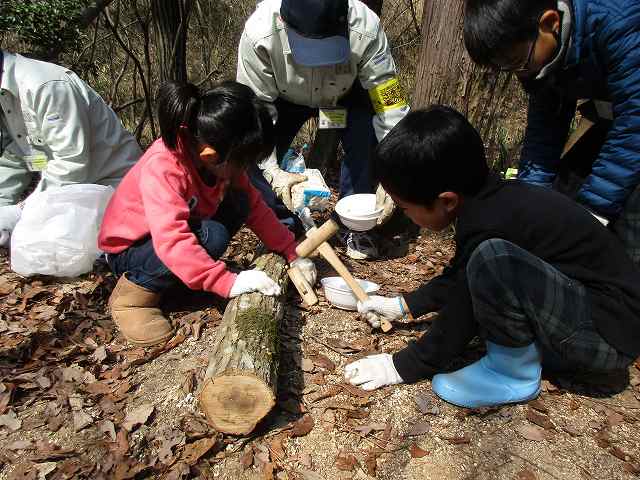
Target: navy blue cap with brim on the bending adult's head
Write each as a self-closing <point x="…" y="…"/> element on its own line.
<point x="318" y="31"/>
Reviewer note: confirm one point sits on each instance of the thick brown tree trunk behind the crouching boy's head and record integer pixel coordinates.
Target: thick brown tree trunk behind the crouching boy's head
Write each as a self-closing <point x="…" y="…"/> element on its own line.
<point x="492" y="101"/>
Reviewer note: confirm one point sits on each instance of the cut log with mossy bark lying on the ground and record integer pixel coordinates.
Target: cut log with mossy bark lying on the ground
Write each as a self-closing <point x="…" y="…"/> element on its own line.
<point x="239" y="388"/>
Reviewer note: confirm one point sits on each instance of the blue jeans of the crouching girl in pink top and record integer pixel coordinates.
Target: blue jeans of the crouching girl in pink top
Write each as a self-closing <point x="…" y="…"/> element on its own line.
<point x="142" y="265"/>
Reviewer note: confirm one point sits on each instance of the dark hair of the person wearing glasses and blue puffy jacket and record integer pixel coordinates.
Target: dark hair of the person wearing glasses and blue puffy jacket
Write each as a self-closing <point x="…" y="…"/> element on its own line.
<point x="493" y="27"/>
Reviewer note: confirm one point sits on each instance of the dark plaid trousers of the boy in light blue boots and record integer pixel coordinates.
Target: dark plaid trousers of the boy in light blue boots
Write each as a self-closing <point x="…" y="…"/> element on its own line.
<point x="519" y="299"/>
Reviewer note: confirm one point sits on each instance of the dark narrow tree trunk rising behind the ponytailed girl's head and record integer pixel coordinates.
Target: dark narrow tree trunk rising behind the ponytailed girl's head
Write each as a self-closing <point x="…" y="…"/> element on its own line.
<point x="170" y="25"/>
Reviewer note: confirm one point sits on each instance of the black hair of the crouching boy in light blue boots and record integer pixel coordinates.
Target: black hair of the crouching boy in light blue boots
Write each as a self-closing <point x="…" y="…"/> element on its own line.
<point x="428" y="152"/>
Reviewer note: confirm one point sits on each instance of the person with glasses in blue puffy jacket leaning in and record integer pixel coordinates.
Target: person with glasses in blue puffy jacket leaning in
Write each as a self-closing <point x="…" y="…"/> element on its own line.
<point x="563" y="51"/>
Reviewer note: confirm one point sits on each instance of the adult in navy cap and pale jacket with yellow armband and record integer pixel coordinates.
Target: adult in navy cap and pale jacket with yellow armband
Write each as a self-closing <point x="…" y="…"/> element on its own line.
<point x="325" y="58"/>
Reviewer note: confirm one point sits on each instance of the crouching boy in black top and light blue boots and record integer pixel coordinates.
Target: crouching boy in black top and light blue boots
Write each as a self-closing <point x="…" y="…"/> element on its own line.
<point x="534" y="273"/>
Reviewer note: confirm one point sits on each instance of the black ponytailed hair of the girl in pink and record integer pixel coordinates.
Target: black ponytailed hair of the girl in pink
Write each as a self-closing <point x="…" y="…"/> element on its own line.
<point x="229" y="117"/>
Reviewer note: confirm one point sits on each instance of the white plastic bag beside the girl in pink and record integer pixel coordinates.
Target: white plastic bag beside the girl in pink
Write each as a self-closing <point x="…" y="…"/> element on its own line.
<point x="58" y="231"/>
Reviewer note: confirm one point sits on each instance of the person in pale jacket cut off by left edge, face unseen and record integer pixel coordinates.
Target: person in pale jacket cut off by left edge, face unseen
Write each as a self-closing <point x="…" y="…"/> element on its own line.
<point x="55" y="125"/>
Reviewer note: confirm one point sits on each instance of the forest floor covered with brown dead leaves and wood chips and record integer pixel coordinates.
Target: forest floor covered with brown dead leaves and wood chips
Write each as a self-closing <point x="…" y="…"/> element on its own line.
<point x="77" y="402"/>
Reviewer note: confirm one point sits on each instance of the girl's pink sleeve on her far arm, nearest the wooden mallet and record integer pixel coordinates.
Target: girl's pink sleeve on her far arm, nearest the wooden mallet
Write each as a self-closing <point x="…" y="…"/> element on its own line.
<point x="264" y="223"/>
